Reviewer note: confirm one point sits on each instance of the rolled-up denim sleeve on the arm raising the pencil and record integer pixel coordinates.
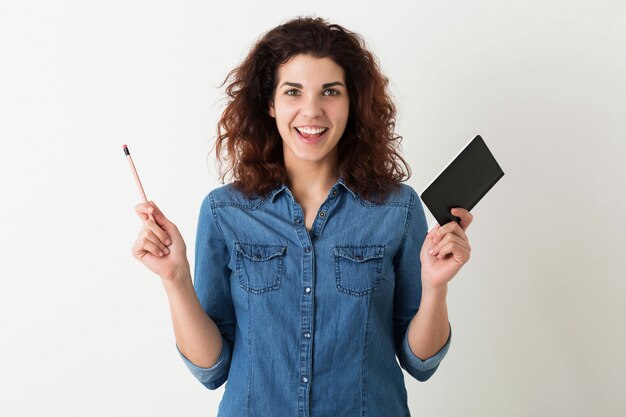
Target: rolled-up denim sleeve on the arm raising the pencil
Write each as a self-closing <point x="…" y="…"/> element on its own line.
<point x="212" y="286"/>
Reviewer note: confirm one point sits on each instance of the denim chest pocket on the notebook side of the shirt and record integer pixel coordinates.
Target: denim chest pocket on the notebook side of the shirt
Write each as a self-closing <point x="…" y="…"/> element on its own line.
<point x="358" y="268"/>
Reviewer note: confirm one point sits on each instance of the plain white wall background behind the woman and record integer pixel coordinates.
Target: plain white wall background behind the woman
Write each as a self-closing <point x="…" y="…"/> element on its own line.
<point x="537" y="314"/>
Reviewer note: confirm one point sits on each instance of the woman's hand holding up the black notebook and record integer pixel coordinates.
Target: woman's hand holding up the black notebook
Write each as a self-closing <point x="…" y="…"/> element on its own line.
<point x="445" y="250"/>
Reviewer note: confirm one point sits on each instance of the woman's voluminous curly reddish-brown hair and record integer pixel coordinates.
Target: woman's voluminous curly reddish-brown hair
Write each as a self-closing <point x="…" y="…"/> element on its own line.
<point x="249" y="143"/>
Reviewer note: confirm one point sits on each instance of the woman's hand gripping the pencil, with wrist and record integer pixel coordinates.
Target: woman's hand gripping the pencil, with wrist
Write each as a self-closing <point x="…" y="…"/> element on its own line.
<point x="159" y="245"/>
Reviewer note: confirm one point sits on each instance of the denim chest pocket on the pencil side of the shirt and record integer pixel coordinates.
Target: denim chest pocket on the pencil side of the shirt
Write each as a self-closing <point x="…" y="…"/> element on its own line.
<point x="260" y="266"/>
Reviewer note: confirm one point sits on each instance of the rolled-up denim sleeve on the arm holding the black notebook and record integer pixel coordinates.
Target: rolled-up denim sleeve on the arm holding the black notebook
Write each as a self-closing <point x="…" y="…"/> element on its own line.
<point x="408" y="293"/>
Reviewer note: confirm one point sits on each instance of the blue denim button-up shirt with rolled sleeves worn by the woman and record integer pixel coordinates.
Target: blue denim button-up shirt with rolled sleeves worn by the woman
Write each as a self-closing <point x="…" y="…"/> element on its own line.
<point x="311" y="321"/>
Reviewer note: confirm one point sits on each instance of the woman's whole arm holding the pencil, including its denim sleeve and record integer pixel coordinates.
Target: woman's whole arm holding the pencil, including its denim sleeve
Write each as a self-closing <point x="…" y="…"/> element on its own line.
<point x="202" y="313"/>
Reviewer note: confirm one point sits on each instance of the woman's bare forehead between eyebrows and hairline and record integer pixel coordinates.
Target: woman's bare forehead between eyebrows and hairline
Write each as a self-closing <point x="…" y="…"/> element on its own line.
<point x="307" y="68"/>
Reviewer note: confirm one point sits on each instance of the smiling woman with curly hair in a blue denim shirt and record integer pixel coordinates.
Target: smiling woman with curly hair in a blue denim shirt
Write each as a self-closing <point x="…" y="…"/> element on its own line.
<point x="314" y="269"/>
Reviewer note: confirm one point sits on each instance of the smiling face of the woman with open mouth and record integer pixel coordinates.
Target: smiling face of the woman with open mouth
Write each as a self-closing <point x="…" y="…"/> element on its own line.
<point x="311" y="109"/>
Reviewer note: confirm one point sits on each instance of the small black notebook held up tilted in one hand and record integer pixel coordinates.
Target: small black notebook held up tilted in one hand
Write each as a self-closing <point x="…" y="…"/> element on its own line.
<point x="464" y="182"/>
